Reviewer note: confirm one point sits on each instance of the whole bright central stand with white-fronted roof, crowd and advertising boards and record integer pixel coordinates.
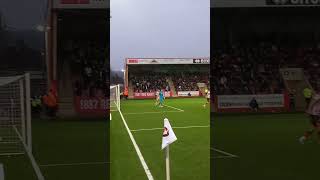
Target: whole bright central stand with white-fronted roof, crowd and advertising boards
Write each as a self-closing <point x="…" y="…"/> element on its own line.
<point x="178" y="77"/>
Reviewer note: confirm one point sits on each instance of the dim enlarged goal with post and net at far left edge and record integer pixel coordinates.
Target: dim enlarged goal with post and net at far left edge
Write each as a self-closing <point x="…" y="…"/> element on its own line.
<point x="15" y="115"/>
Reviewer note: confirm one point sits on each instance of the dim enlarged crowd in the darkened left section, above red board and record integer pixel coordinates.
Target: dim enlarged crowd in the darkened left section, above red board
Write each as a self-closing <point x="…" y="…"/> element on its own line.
<point x="87" y="61"/>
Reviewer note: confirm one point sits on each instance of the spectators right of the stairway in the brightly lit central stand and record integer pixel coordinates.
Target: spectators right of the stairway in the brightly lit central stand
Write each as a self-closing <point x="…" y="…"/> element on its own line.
<point x="187" y="81"/>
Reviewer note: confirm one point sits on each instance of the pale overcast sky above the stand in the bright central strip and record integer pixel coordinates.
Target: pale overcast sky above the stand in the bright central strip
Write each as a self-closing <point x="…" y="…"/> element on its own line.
<point x="159" y="28"/>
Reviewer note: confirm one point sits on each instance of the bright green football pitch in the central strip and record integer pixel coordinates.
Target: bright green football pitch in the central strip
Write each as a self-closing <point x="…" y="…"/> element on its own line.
<point x="189" y="155"/>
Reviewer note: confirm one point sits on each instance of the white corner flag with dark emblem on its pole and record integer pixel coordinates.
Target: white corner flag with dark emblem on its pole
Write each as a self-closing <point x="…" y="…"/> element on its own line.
<point x="168" y="137"/>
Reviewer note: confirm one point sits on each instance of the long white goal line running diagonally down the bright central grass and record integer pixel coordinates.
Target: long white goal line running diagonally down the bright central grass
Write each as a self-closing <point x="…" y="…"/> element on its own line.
<point x="143" y="162"/>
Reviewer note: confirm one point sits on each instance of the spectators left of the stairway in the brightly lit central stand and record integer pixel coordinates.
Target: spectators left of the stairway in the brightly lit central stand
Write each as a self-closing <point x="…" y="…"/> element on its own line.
<point x="150" y="82"/>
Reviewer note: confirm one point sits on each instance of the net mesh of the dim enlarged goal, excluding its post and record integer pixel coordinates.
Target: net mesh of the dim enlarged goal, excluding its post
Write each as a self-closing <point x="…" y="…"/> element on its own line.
<point x="12" y="114"/>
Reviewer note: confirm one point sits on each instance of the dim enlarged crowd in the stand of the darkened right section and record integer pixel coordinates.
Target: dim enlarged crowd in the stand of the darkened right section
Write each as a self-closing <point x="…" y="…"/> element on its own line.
<point x="254" y="69"/>
